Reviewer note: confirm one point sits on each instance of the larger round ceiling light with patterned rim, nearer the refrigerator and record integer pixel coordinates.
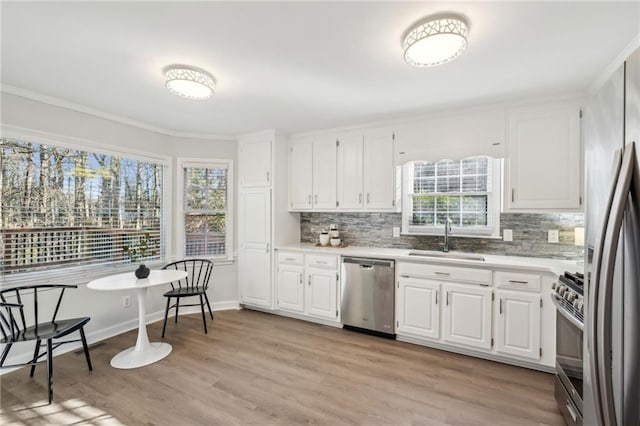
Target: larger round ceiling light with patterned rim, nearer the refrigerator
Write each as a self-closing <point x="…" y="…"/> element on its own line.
<point x="435" y="41"/>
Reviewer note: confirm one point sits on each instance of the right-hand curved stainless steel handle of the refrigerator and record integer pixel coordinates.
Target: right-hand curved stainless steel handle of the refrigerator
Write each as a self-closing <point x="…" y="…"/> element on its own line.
<point x="612" y="237"/>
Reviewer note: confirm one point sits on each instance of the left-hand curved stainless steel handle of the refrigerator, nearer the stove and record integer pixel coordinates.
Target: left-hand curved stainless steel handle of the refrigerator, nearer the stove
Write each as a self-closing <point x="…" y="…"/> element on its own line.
<point x="594" y="295"/>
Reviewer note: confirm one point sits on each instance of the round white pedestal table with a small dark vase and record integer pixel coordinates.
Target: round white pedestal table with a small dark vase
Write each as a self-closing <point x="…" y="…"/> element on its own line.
<point x="144" y="352"/>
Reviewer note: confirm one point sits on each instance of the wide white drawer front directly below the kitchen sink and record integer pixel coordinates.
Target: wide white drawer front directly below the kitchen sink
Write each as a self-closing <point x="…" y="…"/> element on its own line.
<point x="442" y="272"/>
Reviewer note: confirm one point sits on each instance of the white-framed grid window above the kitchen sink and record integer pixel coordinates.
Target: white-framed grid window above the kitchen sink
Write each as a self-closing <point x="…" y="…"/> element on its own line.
<point x="464" y="191"/>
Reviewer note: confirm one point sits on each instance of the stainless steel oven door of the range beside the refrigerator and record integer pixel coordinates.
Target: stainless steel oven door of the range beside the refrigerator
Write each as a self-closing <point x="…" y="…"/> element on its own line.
<point x="569" y="335"/>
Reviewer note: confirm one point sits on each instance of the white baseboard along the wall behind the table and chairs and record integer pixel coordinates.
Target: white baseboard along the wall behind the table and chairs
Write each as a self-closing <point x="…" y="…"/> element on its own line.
<point x="108" y="332"/>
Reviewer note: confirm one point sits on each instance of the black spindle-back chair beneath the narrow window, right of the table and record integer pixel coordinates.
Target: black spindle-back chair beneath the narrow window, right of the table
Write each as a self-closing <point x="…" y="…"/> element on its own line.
<point x="195" y="284"/>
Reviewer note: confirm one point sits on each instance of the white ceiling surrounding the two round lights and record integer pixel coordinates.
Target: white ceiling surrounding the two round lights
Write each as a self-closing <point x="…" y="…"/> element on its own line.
<point x="301" y="66"/>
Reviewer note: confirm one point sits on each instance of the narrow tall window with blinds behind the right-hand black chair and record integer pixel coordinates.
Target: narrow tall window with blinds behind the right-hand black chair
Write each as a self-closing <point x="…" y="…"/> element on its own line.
<point x="206" y="208"/>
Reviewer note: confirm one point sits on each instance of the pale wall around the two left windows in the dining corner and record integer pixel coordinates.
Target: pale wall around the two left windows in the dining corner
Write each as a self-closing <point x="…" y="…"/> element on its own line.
<point x="108" y="317"/>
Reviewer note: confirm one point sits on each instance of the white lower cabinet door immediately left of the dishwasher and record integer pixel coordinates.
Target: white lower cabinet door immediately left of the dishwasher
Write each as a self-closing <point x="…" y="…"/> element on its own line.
<point x="322" y="293"/>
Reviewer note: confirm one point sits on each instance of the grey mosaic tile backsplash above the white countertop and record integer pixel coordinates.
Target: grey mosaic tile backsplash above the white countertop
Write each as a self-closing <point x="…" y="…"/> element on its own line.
<point x="529" y="234"/>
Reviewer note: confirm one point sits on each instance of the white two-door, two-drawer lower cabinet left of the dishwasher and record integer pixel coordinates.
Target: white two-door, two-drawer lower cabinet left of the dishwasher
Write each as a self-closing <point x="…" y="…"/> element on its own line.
<point x="308" y="285"/>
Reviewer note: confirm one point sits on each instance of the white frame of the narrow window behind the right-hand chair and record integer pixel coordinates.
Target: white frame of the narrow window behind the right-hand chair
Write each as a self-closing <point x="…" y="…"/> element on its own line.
<point x="182" y="163"/>
